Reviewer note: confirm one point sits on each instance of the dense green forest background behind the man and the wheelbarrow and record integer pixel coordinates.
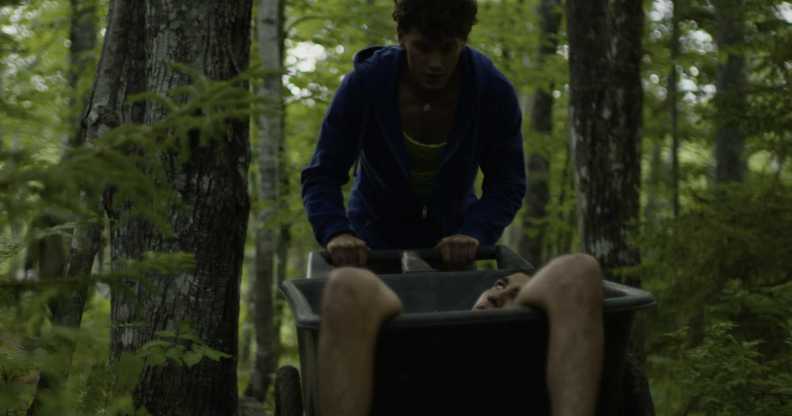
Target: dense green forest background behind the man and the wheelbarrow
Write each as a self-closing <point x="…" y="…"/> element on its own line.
<point x="714" y="224"/>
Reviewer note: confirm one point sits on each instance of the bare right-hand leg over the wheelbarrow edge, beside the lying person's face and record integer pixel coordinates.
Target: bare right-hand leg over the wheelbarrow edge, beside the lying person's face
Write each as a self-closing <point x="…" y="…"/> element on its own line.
<point x="569" y="289"/>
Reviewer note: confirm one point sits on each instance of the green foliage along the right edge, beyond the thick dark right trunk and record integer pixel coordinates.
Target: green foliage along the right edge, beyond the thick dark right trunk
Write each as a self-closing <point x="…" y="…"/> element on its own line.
<point x="719" y="342"/>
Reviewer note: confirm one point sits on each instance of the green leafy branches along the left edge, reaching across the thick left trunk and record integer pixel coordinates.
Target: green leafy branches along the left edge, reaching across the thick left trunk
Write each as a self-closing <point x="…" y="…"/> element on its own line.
<point x="36" y="180"/>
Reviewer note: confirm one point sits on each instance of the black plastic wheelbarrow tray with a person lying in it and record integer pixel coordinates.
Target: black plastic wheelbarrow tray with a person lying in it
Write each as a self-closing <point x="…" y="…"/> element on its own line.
<point x="439" y="357"/>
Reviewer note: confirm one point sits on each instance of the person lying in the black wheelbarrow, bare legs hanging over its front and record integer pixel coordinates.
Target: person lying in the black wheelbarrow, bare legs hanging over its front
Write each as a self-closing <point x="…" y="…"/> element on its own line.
<point x="356" y="302"/>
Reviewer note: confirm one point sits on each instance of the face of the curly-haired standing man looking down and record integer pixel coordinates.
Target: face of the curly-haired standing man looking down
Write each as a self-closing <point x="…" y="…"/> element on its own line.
<point x="431" y="60"/>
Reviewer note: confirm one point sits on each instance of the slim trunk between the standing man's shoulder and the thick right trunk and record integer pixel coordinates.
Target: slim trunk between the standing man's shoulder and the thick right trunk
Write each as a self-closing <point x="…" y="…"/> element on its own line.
<point x="537" y="163"/>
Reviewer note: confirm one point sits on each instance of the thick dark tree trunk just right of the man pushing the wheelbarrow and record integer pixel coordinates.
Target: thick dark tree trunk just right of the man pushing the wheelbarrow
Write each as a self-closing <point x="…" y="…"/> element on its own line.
<point x="606" y="103"/>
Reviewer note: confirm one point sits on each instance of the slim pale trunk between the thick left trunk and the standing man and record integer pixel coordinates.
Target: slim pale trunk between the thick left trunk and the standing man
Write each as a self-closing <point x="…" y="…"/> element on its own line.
<point x="270" y="48"/>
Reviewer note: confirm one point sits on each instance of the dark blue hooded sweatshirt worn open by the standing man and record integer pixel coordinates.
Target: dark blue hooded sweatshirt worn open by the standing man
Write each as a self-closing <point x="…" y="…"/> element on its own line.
<point x="363" y="124"/>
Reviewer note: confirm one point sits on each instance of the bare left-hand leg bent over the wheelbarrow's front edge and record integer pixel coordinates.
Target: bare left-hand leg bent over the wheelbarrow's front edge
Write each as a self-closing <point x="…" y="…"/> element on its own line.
<point x="354" y="305"/>
